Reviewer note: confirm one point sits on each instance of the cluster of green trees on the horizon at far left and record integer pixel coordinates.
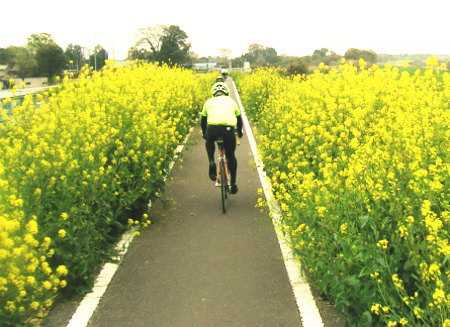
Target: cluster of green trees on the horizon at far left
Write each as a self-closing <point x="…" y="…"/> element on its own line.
<point x="42" y="57"/>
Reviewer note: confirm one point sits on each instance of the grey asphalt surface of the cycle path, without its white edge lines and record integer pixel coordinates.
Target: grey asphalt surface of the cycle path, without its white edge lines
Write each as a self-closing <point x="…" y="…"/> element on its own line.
<point x="195" y="266"/>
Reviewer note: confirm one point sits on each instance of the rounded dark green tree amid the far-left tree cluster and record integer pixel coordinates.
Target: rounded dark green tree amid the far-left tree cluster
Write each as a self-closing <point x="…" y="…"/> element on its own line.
<point x="51" y="60"/>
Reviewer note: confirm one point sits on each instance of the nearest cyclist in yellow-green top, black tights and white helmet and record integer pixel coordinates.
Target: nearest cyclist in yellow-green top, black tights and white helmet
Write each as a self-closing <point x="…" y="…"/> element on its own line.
<point x="221" y="118"/>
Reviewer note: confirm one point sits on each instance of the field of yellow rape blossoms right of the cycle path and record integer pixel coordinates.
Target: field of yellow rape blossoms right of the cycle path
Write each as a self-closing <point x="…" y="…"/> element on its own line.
<point x="360" y="164"/>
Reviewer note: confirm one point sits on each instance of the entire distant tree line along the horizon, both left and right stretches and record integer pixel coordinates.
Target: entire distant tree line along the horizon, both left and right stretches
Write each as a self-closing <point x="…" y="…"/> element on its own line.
<point x="41" y="56"/>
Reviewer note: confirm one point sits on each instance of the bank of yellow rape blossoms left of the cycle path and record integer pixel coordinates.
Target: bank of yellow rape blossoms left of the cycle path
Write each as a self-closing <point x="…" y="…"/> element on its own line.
<point x="76" y="172"/>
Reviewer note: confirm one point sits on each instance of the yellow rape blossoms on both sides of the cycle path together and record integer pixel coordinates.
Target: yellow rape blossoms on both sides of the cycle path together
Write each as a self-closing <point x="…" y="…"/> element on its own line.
<point x="358" y="158"/>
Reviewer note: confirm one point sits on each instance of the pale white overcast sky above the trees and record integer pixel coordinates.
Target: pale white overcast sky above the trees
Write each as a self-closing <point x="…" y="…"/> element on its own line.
<point x="291" y="27"/>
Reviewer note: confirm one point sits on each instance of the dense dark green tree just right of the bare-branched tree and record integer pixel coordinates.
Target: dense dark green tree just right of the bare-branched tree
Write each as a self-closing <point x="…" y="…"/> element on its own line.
<point x="174" y="48"/>
